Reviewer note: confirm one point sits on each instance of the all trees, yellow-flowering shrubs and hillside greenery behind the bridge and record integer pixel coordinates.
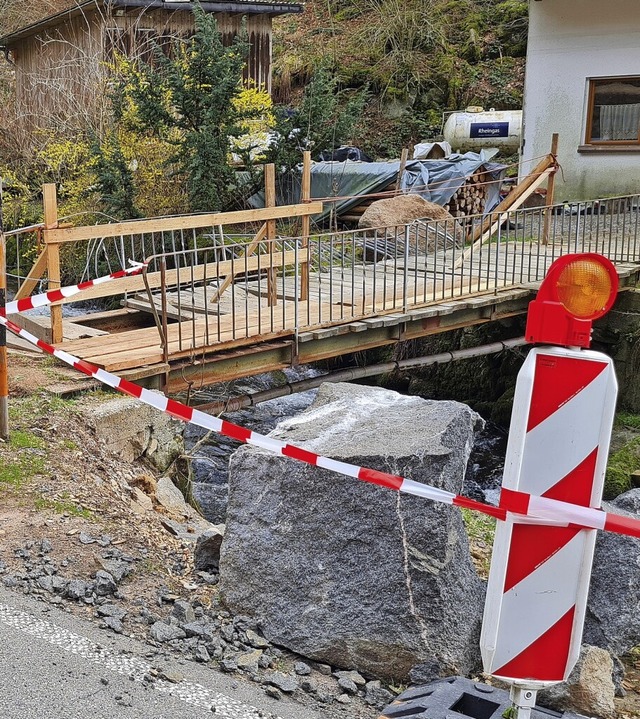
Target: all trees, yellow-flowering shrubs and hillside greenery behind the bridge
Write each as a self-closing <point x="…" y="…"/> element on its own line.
<point x="373" y="73"/>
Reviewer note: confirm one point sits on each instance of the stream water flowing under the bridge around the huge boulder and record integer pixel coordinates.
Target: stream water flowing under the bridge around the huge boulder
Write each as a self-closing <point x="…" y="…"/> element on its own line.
<point x="210" y="456"/>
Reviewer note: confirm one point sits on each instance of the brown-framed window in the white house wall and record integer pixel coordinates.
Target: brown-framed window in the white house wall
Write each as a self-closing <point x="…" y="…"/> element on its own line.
<point x="614" y="111"/>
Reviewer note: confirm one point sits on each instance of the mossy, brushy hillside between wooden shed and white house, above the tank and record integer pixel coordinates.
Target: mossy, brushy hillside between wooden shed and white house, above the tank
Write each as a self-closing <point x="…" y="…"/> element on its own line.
<point x="416" y="58"/>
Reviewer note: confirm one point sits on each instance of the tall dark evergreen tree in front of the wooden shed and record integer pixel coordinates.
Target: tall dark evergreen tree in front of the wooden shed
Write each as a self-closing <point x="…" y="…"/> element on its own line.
<point x="186" y="99"/>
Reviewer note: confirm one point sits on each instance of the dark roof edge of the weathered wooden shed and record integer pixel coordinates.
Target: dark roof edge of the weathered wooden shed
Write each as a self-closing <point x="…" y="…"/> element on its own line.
<point x="244" y="7"/>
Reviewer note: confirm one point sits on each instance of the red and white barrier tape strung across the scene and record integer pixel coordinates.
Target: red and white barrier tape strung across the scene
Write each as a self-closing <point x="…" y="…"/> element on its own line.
<point x="518" y="506"/>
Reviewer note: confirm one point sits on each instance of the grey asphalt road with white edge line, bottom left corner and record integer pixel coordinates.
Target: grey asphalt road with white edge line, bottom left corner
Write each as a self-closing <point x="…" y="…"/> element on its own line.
<point x="54" y="665"/>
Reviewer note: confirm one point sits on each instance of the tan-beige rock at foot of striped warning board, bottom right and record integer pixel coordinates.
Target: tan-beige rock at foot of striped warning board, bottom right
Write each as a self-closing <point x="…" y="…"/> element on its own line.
<point x="589" y="690"/>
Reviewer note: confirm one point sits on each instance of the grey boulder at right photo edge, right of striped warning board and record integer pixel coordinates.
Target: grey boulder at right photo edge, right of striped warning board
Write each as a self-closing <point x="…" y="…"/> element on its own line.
<point x="611" y="620"/>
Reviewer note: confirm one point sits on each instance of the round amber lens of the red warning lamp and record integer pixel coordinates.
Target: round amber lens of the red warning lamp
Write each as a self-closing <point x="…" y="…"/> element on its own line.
<point x="584" y="288"/>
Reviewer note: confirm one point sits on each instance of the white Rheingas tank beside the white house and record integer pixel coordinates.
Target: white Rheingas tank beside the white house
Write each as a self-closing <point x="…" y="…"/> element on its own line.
<point x="476" y="128"/>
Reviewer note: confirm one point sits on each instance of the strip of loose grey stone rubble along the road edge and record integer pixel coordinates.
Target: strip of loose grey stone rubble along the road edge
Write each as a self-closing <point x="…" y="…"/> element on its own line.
<point x="187" y="628"/>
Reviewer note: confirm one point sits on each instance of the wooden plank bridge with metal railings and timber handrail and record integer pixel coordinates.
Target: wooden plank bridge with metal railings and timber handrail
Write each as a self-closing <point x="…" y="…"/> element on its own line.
<point x="215" y="304"/>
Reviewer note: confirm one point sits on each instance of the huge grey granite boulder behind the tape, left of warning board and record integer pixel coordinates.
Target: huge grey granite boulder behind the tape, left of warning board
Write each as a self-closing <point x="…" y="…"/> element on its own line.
<point x="346" y="572"/>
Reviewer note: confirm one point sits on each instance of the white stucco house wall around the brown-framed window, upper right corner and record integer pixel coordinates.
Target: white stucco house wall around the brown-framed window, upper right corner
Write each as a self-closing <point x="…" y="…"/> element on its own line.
<point x="571" y="41"/>
